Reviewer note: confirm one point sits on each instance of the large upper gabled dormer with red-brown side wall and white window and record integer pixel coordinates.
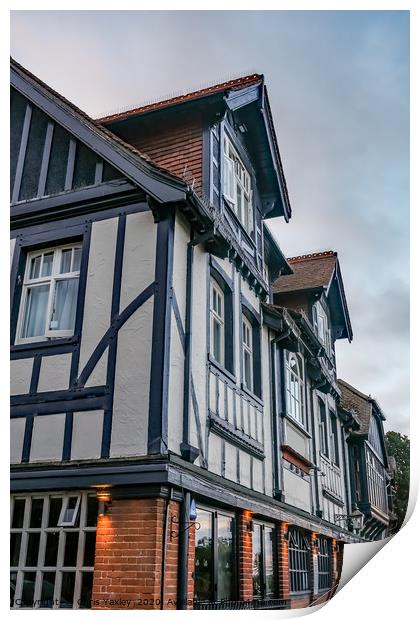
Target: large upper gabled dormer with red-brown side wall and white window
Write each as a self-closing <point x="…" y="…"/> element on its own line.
<point x="221" y="141"/>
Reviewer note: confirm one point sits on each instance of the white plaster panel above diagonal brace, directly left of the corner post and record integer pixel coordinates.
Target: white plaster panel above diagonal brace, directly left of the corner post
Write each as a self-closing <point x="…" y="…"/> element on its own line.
<point x="139" y="256"/>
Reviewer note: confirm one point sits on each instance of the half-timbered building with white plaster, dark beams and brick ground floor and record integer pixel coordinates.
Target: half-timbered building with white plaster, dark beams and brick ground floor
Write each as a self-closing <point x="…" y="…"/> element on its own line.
<point x="175" y="436"/>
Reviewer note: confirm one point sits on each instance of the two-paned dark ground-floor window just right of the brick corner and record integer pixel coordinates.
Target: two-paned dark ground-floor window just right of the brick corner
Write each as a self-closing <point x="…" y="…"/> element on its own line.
<point x="215" y="573"/>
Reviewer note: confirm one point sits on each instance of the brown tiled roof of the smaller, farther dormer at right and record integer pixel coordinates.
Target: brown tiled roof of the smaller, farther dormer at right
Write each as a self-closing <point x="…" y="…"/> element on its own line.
<point x="310" y="271"/>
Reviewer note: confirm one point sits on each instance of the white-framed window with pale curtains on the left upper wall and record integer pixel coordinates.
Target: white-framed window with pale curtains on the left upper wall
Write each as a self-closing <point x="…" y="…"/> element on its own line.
<point x="49" y="293"/>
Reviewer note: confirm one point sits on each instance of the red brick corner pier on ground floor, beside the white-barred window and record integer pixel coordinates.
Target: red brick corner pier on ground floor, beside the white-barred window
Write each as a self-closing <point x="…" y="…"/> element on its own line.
<point x="128" y="557"/>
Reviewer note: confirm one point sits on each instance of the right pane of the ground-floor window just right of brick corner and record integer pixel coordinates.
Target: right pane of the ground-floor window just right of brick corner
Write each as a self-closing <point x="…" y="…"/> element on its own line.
<point x="225" y="558"/>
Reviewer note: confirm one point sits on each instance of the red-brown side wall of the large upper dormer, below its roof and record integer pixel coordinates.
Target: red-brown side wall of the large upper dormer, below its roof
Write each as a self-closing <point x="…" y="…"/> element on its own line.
<point x="175" y="145"/>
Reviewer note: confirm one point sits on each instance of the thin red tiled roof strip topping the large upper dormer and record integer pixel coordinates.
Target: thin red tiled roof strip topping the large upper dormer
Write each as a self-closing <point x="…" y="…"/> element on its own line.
<point x="198" y="94"/>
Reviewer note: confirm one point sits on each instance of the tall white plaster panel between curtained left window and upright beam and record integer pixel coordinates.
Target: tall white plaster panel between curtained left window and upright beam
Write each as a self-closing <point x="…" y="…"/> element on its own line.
<point x="97" y="309"/>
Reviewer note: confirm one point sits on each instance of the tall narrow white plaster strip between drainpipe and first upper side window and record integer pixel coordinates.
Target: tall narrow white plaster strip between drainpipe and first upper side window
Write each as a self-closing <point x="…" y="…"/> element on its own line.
<point x="199" y="341"/>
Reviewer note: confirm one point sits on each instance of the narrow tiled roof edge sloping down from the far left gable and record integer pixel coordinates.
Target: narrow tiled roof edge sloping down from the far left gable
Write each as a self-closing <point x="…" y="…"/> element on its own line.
<point x="77" y="112"/>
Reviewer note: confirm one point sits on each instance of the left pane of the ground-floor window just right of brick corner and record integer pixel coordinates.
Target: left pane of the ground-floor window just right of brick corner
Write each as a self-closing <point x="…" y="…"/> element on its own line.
<point x="203" y="557"/>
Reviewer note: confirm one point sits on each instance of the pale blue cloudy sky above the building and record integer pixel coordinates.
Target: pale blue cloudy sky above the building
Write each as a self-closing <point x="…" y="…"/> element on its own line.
<point x="338" y="84"/>
